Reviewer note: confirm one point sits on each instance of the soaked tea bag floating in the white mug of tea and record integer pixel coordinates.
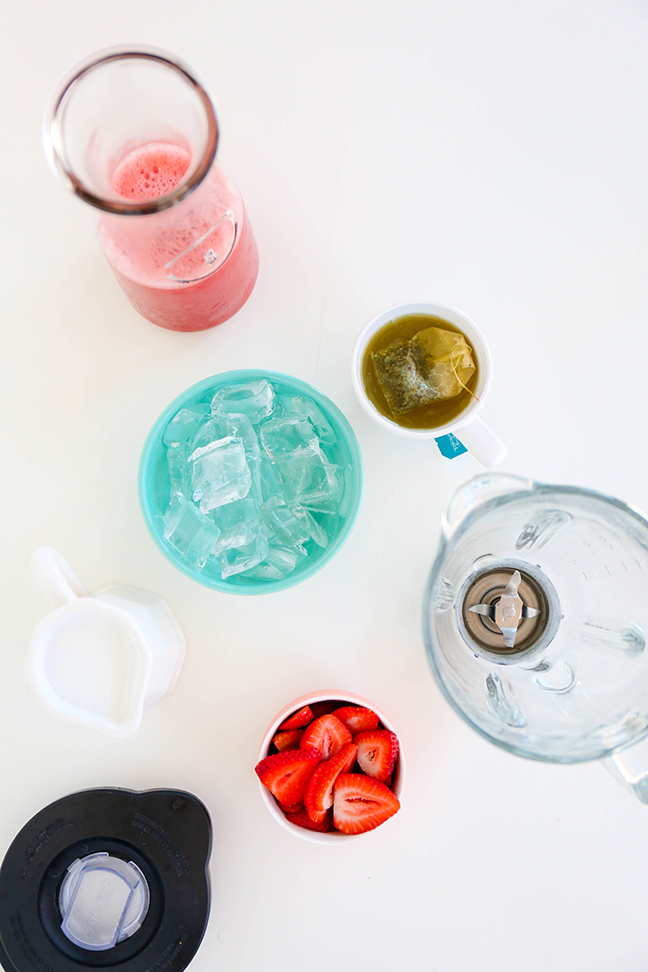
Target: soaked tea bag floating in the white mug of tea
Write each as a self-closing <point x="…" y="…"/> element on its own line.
<point x="435" y="364"/>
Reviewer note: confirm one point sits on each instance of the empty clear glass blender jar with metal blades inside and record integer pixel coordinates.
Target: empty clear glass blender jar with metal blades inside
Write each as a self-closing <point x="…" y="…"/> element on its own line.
<point x="535" y="618"/>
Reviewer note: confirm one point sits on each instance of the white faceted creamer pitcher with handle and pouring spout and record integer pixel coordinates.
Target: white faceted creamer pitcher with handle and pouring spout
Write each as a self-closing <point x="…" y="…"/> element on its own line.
<point x="101" y="658"/>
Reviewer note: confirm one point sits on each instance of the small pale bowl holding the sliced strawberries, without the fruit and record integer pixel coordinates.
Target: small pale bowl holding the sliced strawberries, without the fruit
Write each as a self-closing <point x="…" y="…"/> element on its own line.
<point x="346" y="698"/>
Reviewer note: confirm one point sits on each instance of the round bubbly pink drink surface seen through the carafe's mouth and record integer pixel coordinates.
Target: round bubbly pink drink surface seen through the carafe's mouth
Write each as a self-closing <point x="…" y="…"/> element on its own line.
<point x="150" y="171"/>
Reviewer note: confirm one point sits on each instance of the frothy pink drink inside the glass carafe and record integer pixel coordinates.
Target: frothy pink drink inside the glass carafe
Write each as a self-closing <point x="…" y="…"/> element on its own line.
<point x="191" y="266"/>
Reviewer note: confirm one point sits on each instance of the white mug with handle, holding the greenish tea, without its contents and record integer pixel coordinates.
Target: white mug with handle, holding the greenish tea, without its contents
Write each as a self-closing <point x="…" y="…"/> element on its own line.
<point x="468" y="426"/>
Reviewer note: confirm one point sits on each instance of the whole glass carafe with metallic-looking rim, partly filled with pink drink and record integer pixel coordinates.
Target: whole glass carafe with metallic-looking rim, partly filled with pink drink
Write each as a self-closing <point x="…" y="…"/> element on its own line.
<point x="133" y="133"/>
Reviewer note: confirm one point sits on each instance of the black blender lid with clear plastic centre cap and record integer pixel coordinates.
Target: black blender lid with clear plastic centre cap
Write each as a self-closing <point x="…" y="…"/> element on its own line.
<point x="107" y="879"/>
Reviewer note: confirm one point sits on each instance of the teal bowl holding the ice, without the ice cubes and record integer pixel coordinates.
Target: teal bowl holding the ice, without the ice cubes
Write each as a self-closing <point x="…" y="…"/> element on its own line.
<point x="154" y="487"/>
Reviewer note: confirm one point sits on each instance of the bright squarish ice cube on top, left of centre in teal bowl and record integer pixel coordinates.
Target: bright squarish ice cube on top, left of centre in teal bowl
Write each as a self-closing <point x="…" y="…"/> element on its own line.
<point x="220" y="473"/>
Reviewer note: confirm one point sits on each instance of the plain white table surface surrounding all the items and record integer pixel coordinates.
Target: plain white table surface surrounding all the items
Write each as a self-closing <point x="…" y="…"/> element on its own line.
<point x="491" y="156"/>
